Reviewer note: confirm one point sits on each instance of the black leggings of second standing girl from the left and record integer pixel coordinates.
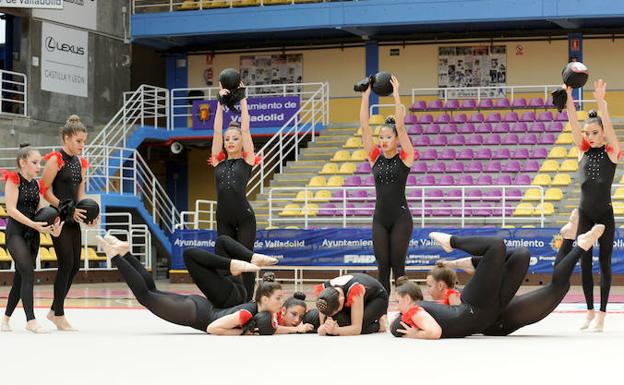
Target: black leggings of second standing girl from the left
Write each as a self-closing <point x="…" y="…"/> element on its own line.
<point x="67" y="247"/>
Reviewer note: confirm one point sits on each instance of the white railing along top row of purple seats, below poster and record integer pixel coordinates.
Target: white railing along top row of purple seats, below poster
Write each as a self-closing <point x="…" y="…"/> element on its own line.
<point x="482" y="92"/>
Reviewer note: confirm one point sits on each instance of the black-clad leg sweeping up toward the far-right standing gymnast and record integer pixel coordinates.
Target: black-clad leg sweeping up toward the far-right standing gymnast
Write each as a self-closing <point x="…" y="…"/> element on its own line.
<point x="532" y="307"/>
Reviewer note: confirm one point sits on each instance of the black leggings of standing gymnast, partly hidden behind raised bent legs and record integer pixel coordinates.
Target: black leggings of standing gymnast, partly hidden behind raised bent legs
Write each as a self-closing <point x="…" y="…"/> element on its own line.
<point x="244" y="231"/>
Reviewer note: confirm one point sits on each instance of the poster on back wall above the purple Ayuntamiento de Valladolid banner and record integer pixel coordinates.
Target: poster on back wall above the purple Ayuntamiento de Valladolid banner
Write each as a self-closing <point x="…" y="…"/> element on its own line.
<point x="263" y="70"/>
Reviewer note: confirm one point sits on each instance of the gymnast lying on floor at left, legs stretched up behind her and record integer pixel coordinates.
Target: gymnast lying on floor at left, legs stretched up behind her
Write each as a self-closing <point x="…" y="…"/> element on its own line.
<point x="191" y="310"/>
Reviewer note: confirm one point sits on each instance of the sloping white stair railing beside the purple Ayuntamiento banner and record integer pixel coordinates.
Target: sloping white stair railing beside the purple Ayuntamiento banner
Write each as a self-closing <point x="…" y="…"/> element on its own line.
<point x="313" y="111"/>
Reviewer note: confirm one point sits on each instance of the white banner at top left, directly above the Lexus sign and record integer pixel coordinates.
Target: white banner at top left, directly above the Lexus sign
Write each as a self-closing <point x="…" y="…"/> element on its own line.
<point x="79" y="13"/>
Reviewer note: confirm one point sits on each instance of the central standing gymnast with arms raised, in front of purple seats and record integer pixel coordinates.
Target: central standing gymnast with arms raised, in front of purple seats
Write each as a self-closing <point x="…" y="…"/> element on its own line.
<point x="392" y="220"/>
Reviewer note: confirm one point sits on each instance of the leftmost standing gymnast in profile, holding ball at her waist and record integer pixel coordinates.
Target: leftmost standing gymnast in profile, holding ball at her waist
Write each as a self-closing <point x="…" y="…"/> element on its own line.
<point x="22" y="197"/>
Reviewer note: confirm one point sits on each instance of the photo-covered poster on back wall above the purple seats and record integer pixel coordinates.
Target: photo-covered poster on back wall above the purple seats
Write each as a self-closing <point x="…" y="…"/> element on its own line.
<point x="473" y="66"/>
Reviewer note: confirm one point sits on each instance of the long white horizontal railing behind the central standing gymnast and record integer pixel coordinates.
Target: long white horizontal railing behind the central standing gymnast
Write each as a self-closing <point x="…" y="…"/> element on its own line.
<point x="418" y="205"/>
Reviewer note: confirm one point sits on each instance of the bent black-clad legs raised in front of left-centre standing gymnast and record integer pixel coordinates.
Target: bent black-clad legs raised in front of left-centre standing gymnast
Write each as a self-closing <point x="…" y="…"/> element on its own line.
<point x="211" y="272"/>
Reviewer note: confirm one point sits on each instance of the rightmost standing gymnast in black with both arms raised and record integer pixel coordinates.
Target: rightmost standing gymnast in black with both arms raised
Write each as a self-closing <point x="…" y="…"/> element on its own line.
<point x="599" y="152"/>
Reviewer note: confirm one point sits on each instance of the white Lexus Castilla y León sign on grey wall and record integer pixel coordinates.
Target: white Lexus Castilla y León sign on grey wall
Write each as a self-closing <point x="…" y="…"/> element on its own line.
<point x="64" y="60"/>
